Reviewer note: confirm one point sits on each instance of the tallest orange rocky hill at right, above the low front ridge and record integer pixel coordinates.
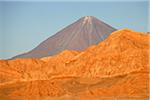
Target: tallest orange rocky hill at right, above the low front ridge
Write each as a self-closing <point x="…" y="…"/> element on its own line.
<point x="123" y="52"/>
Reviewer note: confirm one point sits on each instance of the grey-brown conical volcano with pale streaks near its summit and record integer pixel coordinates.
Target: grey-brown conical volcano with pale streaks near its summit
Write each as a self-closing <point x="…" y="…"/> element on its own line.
<point x="81" y="34"/>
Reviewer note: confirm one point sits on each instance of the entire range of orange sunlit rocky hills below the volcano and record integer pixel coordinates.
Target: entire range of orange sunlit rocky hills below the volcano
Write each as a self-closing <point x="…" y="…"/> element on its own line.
<point x="117" y="67"/>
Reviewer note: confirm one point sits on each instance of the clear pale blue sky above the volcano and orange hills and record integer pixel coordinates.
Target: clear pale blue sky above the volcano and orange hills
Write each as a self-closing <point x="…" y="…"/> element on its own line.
<point x="25" y="24"/>
